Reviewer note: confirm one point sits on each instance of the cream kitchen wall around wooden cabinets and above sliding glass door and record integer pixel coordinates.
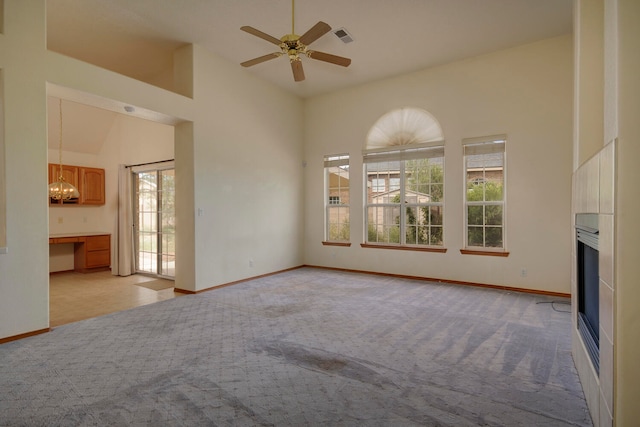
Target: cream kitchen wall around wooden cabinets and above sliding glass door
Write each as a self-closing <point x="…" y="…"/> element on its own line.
<point x="130" y="141"/>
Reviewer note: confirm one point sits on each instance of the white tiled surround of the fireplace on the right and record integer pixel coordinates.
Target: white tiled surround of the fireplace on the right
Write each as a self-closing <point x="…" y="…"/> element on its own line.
<point x="593" y="192"/>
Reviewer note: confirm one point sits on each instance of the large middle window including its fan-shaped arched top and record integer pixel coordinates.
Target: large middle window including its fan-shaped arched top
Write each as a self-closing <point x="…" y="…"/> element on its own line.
<point x="404" y="174"/>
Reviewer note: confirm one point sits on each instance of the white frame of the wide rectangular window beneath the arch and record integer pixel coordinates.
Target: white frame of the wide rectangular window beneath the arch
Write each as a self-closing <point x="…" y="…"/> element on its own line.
<point x="402" y="156"/>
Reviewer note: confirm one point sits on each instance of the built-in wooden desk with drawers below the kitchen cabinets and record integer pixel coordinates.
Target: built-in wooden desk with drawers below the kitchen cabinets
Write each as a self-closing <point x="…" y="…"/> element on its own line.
<point x="91" y="251"/>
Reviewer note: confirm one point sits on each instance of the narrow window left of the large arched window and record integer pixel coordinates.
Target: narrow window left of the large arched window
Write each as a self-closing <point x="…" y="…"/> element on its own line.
<point x="336" y="175"/>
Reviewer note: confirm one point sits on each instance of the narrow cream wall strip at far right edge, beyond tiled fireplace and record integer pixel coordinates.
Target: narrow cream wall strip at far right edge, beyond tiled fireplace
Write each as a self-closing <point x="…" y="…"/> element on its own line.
<point x="627" y="267"/>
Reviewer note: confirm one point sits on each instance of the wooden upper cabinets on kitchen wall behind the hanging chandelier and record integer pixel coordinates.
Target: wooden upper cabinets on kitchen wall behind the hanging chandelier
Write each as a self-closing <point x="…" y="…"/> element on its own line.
<point x="88" y="181"/>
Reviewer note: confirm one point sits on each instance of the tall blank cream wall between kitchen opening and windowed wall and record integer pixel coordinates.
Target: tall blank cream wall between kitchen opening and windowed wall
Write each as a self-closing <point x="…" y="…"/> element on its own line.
<point x="248" y="175"/>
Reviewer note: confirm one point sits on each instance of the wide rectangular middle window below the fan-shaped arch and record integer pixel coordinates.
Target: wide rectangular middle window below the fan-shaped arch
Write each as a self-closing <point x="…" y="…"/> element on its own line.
<point x="411" y="212"/>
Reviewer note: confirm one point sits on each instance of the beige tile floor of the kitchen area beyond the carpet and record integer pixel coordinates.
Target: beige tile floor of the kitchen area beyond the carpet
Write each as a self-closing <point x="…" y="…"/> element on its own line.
<point x="77" y="296"/>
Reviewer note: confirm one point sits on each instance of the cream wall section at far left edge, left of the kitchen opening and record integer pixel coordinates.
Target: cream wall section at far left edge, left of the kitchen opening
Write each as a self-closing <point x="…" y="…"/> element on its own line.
<point x="24" y="305"/>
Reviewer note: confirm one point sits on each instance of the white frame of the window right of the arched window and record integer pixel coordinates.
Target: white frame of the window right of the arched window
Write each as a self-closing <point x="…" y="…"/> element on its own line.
<point x="483" y="146"/>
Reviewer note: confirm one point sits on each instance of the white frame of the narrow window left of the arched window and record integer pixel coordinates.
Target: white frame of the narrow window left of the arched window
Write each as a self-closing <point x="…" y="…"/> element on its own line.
<point x="332" y="162"/>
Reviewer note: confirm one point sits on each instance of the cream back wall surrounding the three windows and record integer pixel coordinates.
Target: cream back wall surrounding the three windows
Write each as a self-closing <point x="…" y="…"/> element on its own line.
<point x="524" y="92"/>
